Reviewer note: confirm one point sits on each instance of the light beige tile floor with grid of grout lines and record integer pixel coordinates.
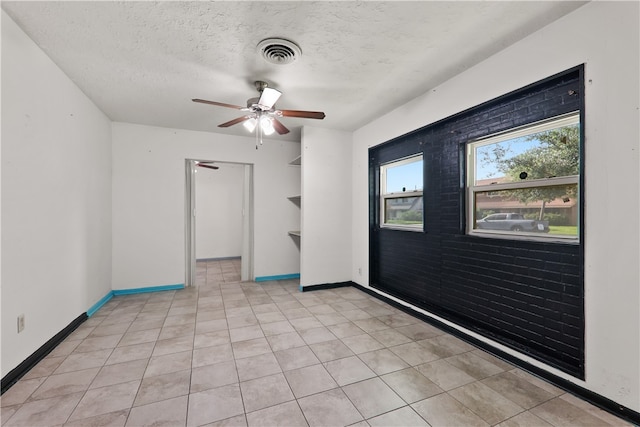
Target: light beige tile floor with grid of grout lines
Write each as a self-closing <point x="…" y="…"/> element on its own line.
<point x="268" y="355"/>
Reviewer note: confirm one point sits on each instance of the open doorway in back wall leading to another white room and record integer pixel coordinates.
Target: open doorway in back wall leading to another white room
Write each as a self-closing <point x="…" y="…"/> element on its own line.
<point x="218" y="222"/>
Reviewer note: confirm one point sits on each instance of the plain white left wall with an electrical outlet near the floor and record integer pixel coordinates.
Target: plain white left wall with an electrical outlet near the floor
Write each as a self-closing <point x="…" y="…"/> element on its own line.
<point x="56" y="198"/>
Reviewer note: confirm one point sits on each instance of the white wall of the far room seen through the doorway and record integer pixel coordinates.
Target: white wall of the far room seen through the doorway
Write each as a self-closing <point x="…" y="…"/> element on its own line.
<point x="219" y="211"/>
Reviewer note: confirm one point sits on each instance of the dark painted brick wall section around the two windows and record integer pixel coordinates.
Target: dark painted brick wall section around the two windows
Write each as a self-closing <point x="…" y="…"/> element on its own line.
<point x="527" y="295"/>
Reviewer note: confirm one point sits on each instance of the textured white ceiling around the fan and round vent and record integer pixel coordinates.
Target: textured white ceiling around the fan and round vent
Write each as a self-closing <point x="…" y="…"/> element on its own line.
<point x="142" y="62"/>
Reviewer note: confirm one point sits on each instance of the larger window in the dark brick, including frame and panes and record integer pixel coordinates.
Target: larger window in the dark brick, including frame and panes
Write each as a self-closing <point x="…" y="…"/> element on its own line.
<point x="525" y="182"/>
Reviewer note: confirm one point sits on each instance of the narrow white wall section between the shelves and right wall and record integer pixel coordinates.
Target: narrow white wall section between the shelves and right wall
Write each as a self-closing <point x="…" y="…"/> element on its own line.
<point x="326" y="206"/>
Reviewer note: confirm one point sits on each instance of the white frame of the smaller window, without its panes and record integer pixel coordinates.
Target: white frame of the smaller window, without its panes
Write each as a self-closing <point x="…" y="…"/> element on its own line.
<point x="384" y="196"/>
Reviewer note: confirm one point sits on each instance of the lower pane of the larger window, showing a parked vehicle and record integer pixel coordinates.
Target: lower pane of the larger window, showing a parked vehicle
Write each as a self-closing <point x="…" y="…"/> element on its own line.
<point x="552" y="210"/>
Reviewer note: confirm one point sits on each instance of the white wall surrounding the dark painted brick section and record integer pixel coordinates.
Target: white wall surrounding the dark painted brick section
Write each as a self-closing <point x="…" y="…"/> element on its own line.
<point x="604" y="36"/>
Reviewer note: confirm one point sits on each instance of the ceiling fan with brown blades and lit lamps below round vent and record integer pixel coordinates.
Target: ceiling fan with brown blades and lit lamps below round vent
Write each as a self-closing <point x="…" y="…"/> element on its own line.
<point x="261" y="113"/>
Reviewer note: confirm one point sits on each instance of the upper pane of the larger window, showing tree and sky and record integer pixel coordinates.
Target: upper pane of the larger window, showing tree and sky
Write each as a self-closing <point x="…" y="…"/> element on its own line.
<point x="550" y="153"/>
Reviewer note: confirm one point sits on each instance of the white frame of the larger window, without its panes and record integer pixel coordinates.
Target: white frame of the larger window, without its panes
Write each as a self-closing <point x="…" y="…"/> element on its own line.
<point x="473" y="189"/>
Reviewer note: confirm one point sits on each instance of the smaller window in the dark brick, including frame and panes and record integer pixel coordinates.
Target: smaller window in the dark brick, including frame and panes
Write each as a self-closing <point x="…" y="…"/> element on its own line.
<point x="401" y="185"/>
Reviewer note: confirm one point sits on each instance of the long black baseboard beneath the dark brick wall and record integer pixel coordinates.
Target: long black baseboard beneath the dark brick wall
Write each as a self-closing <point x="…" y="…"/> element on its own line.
<point x="600" y="401"/>
